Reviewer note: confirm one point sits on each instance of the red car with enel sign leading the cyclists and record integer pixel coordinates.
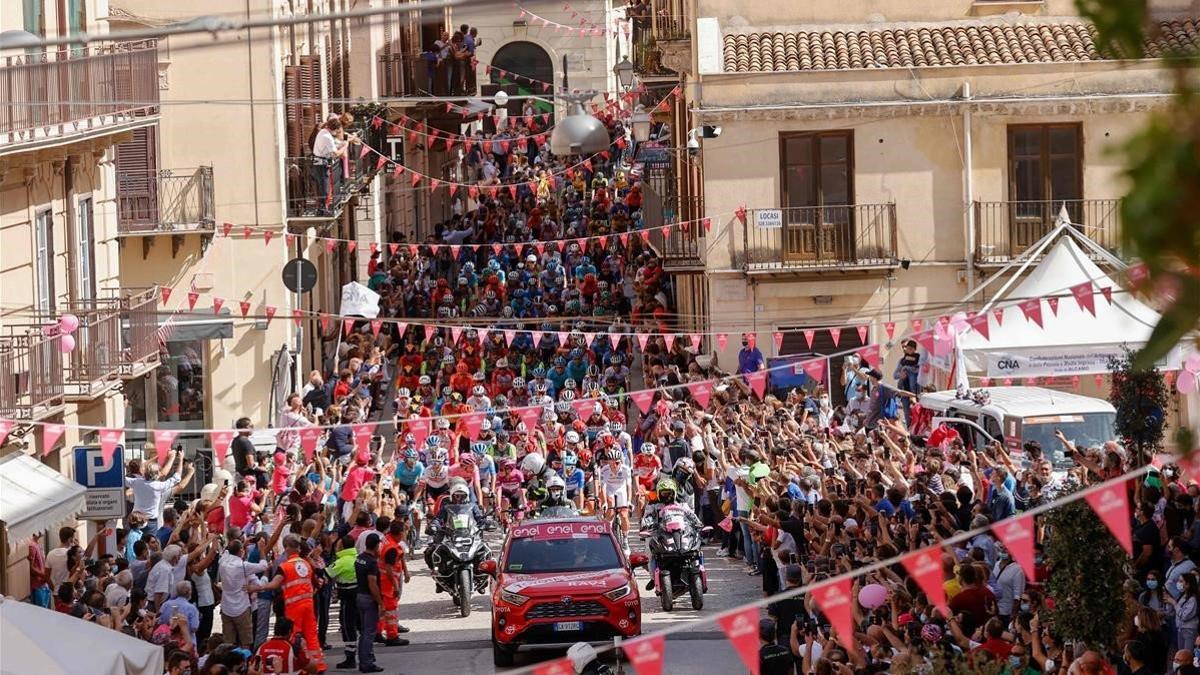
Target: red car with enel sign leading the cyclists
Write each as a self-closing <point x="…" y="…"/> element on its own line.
<point x="562" y="582"/>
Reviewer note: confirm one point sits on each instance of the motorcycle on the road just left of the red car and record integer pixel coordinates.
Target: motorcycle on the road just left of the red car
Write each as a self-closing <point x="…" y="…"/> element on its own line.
<point x="454" y="560"/>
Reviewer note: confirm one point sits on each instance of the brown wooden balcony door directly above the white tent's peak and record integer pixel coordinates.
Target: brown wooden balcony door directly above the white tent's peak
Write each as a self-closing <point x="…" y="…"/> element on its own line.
<point x="1046" y="170"/>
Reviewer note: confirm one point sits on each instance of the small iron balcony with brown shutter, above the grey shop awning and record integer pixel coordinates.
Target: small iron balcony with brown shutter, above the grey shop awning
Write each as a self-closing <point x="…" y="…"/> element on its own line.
<point x="165" y="202"/>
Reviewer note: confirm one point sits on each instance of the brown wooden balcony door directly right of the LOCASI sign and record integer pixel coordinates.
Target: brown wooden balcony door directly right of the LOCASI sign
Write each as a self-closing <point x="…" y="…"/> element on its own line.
<point x="818" y="192"/>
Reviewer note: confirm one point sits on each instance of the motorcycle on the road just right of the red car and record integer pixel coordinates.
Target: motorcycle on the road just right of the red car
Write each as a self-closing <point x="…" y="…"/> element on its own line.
<point x="675" y="547"/>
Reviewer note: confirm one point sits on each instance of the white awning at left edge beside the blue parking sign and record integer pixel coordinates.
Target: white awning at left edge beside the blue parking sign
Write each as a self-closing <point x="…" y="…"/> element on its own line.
<point x="35" y="498"/>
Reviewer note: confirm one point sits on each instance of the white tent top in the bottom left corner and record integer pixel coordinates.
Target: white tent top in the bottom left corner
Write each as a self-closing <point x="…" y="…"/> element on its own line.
<point x="40" y="641"/>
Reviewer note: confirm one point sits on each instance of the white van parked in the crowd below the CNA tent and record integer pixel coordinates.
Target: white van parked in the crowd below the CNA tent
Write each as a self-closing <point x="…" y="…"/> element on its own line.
<point x="1019" y="415"/>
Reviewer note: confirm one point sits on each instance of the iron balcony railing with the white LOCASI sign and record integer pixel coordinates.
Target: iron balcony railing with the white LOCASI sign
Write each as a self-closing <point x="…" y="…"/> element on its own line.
<point x="801" y="240"/>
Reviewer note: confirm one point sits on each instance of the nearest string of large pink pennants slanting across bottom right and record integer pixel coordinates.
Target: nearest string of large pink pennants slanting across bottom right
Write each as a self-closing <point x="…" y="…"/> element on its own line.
<point x="835" y="598"/>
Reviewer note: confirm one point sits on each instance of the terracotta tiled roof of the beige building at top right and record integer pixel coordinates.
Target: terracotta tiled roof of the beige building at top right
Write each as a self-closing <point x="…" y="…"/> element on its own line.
<point x="956" y="44"/>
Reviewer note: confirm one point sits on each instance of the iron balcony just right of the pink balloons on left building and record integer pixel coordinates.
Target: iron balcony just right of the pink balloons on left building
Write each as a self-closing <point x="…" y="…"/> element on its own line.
<point x="116" y="341"/>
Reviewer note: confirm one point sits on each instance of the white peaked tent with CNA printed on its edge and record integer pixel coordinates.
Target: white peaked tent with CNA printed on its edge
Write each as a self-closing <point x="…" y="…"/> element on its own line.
<point x="1072" y="342"/>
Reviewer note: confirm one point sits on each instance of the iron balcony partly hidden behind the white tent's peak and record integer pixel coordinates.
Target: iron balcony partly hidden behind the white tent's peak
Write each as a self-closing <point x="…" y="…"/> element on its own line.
<point x="1006" y="230"/>
